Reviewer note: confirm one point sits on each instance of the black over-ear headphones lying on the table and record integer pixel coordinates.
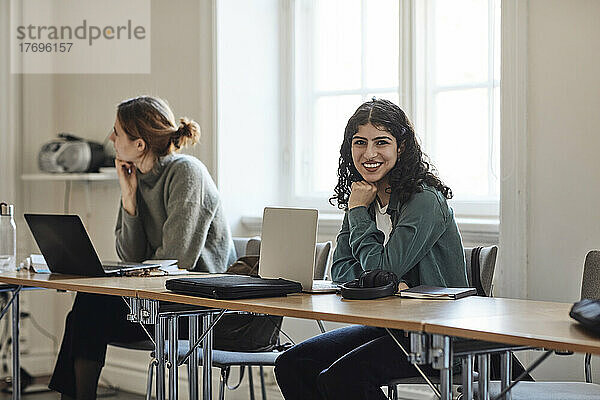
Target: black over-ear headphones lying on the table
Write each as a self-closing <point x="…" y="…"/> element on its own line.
<point x="371" y="284"/>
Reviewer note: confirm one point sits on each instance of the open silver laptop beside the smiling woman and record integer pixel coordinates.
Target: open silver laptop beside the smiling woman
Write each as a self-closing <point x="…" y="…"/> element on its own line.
<point x="288" y="245"/>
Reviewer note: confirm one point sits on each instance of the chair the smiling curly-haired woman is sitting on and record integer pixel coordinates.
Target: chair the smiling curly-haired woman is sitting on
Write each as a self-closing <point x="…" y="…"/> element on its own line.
<point x="487" y="265"/>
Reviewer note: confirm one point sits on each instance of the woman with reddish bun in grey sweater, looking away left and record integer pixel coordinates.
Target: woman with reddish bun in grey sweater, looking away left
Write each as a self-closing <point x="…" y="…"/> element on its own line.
<point x="170" y="209"/>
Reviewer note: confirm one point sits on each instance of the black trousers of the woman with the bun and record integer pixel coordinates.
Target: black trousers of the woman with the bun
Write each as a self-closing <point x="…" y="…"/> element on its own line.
<point x="93" y="322"/>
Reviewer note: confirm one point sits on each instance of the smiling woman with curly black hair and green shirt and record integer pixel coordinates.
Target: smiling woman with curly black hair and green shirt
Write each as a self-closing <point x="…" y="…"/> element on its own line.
<point x="396" y="219"/>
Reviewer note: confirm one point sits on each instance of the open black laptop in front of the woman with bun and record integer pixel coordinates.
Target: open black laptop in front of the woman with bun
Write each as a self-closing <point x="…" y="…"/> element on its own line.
<point x="67" y="248"/>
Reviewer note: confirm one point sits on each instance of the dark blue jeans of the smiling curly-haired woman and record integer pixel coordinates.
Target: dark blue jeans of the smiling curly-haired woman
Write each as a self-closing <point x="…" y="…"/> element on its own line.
<point x="348" y="363"/>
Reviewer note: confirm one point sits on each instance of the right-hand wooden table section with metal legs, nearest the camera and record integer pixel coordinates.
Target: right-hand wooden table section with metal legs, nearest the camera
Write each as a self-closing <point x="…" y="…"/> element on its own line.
<point x="534" y="324"/>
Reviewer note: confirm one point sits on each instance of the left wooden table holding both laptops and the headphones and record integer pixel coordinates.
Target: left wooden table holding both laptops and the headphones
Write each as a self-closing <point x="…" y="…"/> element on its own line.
<point x="329" y="307"/>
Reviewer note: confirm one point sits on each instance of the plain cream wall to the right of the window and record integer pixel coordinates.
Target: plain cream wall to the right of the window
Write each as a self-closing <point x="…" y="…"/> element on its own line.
<point x="563" y="221"/>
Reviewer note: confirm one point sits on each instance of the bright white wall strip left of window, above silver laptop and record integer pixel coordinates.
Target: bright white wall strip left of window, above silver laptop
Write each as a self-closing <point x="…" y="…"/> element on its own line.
<point x="248" y="95"/>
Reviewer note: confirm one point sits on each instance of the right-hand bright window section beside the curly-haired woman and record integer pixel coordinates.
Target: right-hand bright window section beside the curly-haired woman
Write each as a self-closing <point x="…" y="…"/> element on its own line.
<point x="457" y="76"/>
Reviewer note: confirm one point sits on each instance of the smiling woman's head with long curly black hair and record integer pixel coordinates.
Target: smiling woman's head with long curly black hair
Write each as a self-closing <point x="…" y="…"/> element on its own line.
<point x="381" y="147"/>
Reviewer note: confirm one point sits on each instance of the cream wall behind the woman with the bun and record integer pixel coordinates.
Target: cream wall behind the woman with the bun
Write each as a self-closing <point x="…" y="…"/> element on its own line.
<point x="85" y="105"/>
